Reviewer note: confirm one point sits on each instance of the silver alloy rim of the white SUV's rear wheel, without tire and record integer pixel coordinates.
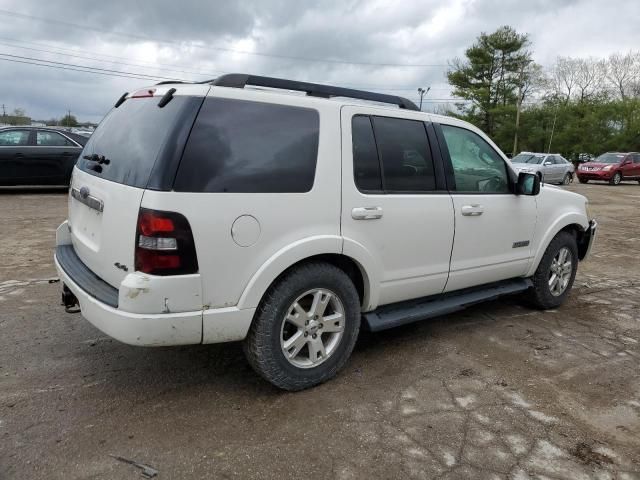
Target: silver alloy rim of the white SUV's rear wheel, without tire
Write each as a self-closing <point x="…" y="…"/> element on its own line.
<point x="312" y="328"/>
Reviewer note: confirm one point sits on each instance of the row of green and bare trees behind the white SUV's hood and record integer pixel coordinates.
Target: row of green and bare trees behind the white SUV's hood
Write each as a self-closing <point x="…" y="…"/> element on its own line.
<point x="578" y="105"/>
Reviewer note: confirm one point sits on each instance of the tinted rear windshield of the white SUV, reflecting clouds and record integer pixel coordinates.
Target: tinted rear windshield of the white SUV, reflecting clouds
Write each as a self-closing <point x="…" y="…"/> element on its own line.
<point x="131" y="137"/>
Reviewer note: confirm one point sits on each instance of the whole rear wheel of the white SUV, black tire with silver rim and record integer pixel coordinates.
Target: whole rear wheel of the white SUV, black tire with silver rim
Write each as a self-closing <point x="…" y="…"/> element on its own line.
<point x="267" y="339"/>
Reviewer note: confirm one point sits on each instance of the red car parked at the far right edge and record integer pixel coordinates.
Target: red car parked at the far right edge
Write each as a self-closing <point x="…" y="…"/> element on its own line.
<point x="612" y="167"/>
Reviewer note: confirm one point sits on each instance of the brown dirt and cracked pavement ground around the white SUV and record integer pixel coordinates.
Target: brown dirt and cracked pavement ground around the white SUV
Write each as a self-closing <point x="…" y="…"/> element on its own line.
<point x="496" y="391"/>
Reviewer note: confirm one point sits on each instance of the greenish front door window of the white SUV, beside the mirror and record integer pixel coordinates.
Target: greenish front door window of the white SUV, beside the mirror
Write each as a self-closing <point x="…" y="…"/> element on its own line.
<point x="477" y="167"/>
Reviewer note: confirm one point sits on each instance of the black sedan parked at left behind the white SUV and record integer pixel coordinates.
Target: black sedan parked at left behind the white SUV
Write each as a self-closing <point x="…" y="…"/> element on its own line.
<point x="38" y="156"/>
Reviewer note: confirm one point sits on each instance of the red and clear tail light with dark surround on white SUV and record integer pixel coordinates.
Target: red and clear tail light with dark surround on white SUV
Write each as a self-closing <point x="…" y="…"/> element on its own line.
<point x="164" y="244"/>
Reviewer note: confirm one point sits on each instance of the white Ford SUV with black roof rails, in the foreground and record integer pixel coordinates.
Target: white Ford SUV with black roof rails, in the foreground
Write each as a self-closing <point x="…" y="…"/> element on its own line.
<point x="243" y="209"/>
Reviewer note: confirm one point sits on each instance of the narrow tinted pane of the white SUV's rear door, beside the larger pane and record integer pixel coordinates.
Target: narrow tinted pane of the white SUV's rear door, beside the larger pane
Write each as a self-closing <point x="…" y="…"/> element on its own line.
<point x="366" y="166"/>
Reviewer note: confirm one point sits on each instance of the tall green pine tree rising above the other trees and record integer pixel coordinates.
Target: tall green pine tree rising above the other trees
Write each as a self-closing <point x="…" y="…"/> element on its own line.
<point x="490" y="75"/>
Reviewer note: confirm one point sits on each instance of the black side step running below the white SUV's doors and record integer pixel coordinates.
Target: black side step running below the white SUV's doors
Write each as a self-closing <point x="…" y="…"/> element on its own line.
<point x="396" y="314"/>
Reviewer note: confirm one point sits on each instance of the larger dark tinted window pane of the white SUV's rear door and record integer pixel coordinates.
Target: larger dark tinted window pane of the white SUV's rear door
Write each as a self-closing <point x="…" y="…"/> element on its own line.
<point x="404" y="152"/>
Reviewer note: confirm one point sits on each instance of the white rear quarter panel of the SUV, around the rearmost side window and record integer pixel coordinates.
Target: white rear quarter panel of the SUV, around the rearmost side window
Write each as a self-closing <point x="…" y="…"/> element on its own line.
<point x="293" y="226"/>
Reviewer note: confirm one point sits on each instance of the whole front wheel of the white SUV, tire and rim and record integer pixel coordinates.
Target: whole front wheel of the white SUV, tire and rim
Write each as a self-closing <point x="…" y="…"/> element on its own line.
<point x="541" y="294"/>
